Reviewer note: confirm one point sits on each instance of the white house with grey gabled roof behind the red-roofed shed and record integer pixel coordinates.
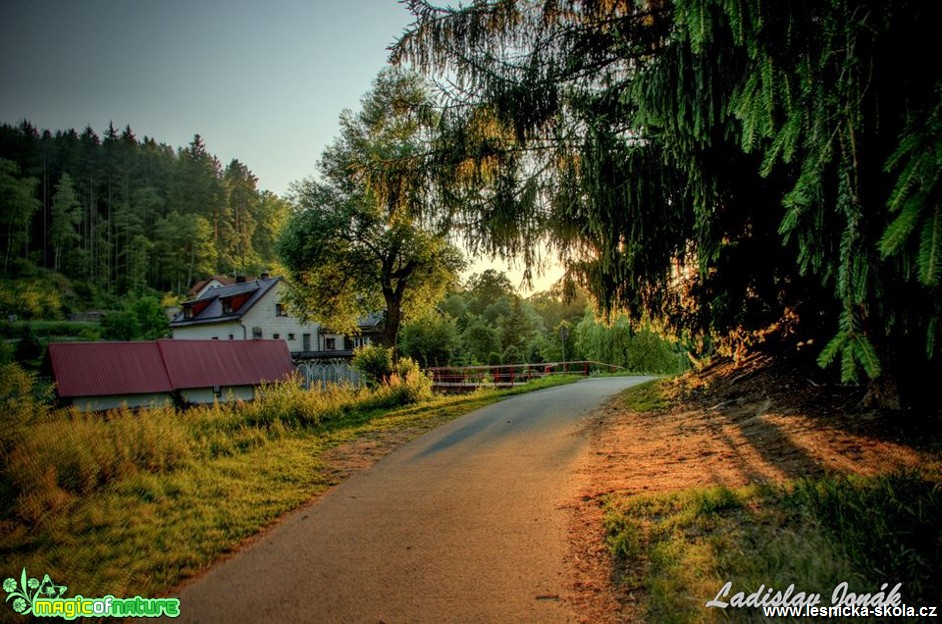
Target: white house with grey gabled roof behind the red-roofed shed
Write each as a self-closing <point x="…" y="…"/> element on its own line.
<point x="253" y="310"/>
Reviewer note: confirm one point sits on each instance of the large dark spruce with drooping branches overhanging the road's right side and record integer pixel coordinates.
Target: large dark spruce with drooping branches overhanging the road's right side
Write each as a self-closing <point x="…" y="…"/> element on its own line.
<point x="734" y="170"/>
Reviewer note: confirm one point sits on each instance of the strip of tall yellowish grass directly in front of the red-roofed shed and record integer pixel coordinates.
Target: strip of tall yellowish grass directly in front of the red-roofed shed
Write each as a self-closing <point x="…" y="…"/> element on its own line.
<point x="51" y="457"/>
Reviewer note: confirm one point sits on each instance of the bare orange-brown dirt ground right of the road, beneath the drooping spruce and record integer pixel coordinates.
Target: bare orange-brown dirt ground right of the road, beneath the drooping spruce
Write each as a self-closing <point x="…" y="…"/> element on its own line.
<point x="734" y="424"/>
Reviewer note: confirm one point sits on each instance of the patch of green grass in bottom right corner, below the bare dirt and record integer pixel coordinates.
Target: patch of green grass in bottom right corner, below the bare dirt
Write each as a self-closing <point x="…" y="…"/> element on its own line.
<point x="676" y="551"/>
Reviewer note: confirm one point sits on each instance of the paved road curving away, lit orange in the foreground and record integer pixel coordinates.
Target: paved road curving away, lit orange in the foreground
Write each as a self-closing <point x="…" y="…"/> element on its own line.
<point x="461" y="525"/>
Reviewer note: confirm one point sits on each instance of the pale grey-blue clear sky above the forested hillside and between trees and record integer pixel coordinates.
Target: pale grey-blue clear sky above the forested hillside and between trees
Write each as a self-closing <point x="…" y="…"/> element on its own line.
<point x="263" y="82"/>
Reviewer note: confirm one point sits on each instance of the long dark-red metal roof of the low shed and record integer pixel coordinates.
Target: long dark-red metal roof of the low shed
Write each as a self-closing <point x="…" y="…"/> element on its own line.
<point x="118" y="368"/>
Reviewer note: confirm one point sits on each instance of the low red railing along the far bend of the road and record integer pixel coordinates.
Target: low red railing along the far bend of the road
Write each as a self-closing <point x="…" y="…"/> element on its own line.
<point x="507" y="375"/>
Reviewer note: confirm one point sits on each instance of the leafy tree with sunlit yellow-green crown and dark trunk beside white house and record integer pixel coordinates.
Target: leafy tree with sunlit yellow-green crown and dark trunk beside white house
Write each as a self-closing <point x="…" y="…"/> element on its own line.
<point x="355" y="244"/>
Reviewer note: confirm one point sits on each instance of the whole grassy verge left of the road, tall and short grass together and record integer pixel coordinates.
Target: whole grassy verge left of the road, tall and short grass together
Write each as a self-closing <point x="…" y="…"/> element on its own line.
<point x="132" y="503"/>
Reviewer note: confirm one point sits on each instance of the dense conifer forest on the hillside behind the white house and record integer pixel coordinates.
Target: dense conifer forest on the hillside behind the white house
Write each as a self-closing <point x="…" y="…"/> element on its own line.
<point x="116" y="214"/>
